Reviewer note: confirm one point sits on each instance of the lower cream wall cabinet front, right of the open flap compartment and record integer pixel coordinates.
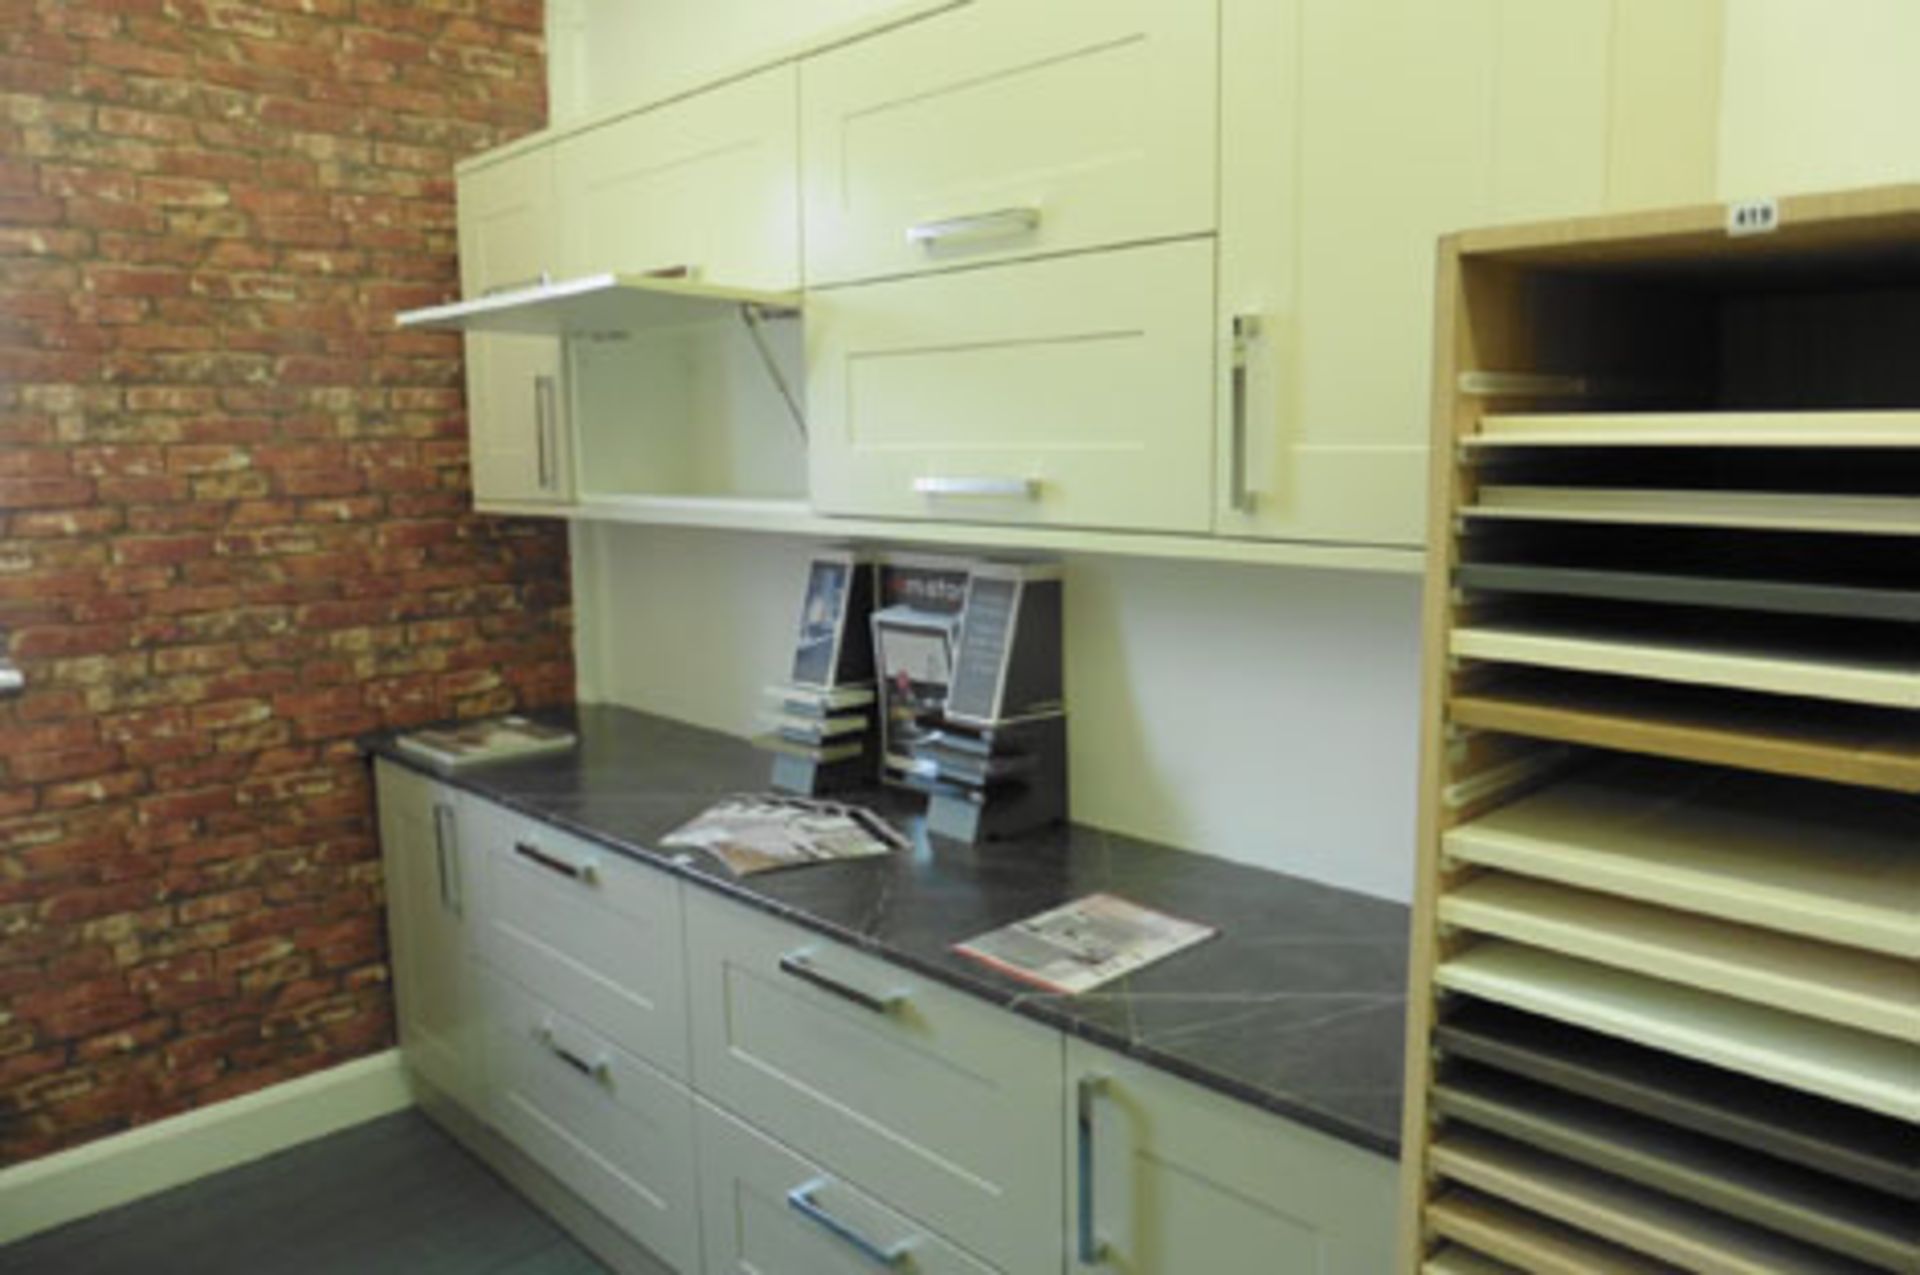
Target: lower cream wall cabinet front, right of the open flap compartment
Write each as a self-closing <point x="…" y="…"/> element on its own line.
<point x="1072" y="393"/>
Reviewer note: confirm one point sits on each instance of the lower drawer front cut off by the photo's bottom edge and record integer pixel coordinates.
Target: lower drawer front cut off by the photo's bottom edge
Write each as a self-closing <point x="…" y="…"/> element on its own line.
<point x="773" y="1213"/>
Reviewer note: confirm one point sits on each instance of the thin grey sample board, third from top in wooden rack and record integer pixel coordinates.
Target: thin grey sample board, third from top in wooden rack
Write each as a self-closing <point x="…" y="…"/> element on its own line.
<point x="1721" y="592"/>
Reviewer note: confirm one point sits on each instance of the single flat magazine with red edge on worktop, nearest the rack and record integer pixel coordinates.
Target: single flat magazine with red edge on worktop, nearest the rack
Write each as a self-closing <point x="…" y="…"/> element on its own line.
<point x="1086" y="944"/>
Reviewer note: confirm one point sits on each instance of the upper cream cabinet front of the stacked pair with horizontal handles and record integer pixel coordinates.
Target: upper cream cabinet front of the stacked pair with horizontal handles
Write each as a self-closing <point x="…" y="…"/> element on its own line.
<point x="1009" y="130"/>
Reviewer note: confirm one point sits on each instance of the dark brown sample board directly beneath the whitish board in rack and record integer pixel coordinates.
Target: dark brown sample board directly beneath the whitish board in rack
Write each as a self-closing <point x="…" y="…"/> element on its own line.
<point x="1873" y="1151"/>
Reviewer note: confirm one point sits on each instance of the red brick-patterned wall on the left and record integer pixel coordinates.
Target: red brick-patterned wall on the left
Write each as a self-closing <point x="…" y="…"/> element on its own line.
<point x="233" y="525"/>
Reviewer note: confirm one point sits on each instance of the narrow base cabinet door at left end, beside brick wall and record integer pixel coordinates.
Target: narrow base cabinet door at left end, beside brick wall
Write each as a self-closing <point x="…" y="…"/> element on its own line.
<point x="433" y="905"/>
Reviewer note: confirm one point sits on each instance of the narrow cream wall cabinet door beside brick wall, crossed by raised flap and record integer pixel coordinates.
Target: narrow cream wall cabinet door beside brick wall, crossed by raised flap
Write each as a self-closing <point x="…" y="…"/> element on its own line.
<point x="516" y="387"/>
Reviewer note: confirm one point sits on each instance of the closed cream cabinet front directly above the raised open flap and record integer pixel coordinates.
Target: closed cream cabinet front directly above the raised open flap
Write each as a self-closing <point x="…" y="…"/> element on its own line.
<point x="709" y="183"/>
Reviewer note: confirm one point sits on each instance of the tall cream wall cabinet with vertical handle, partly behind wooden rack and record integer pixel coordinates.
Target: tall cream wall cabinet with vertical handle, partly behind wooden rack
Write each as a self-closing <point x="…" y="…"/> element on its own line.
<point x="1356" y="133"/>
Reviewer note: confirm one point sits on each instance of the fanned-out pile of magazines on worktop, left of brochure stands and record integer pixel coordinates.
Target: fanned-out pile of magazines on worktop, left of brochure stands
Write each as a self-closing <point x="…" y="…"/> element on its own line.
<point x="767" y="832"/>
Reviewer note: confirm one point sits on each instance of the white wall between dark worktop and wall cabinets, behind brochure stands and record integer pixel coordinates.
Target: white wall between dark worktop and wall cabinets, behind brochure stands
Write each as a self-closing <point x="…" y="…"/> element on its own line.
<point x="1262" y="715"/>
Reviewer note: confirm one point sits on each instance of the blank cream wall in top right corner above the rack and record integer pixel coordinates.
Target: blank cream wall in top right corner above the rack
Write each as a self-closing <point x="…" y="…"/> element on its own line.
<point x="1819" y="95"/>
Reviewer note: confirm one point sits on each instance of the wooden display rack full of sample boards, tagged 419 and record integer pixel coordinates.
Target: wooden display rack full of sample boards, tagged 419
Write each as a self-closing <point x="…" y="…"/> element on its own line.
<point x="1666" y="978"/>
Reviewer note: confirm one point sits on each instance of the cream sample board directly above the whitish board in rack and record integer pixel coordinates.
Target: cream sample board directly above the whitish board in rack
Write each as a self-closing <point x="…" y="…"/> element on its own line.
<point x="1833" y="984"/>
